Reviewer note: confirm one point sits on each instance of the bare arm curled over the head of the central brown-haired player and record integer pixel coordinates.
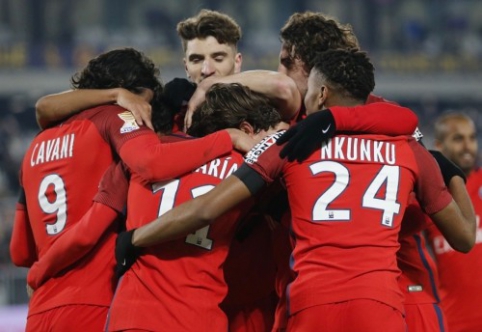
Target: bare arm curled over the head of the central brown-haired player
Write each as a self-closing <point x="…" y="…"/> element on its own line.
<point x="279" y="88"/>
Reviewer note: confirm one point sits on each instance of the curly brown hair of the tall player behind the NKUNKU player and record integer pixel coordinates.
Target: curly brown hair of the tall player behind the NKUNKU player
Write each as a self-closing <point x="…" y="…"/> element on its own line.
<point x="307" y="34"/>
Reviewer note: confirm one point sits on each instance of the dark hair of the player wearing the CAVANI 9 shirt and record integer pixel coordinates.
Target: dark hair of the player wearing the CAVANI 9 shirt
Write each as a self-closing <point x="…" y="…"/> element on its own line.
<point x="121" y="68"/>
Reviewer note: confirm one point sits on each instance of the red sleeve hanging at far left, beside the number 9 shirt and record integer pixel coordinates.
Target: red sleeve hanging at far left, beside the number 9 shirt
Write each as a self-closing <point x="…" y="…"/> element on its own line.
<point x="22" y="244"/>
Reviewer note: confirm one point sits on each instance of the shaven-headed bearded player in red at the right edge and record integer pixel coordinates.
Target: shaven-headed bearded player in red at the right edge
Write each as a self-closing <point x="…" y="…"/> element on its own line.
<point x="455" y="137"/>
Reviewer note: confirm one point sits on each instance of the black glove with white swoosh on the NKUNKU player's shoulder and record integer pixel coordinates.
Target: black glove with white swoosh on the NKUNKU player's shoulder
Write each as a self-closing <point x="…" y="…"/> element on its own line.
<point x="307" y="135"/>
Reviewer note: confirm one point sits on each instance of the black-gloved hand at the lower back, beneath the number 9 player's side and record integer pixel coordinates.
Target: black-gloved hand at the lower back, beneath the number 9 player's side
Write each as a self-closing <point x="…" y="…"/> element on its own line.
<point x="125" y="252"/>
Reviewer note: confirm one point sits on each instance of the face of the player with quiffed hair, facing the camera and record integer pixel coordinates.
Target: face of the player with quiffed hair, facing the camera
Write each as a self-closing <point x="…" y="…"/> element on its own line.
<point x="207" y="57"/>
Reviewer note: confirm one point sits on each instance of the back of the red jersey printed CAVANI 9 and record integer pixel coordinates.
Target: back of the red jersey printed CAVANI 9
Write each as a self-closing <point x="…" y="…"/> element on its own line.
<point x="61" y="171"/>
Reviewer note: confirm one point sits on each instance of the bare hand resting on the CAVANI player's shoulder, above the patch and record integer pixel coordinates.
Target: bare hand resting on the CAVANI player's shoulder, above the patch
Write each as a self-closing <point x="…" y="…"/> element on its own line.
<point x="138" y="104"/>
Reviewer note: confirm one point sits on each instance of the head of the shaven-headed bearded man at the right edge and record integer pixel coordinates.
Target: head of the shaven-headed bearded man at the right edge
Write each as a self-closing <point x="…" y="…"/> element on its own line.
<point x="459" y="143"/>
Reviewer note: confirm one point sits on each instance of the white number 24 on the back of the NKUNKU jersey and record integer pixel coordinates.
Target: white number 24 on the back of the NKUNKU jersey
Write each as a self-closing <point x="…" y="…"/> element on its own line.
<point x="388" y="176"/>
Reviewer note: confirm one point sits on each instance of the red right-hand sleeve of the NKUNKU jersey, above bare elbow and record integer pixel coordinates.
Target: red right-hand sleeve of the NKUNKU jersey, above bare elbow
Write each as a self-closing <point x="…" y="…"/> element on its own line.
<point x="430" y="188"/>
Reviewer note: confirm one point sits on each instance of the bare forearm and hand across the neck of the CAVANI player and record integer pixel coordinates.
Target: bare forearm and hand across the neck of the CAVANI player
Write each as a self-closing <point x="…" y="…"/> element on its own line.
<point x="55" y="107"/>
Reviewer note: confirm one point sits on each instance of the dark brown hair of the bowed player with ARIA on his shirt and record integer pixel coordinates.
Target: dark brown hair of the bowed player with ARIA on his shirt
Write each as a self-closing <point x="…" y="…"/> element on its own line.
<point x="228" y="105"/>
